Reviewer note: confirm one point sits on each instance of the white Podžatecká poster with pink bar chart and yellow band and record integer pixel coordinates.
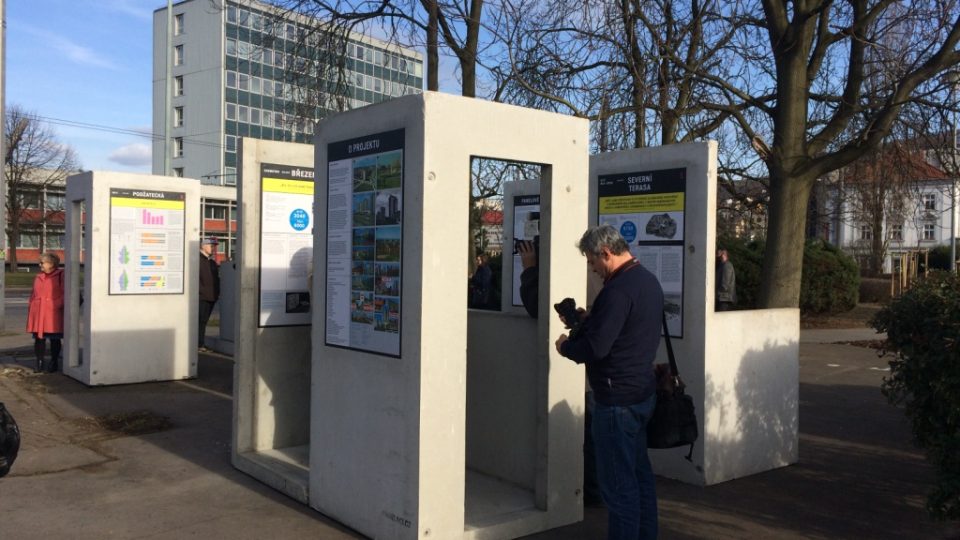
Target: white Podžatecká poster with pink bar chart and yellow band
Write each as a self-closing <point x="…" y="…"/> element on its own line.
<point x="146" y="241"/>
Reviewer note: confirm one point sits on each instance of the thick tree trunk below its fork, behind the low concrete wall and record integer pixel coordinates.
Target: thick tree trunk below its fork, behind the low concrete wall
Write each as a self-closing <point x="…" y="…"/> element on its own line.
<point x="783" y="259"/>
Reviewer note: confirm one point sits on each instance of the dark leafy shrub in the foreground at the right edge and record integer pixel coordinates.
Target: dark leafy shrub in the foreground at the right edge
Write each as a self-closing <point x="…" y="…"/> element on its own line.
<point x="923" y="329"/>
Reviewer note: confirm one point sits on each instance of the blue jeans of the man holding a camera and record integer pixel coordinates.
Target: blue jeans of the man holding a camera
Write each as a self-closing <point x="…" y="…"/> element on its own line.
<point x="623" y="469"/>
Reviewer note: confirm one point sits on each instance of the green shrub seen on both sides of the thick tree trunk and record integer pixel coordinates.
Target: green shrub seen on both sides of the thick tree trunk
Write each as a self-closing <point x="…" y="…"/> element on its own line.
<point x="830" y="282"/>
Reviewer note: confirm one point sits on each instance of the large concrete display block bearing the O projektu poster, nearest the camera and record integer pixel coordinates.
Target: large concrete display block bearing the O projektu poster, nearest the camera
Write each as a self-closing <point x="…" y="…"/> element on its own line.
<point x="445" y="422"/>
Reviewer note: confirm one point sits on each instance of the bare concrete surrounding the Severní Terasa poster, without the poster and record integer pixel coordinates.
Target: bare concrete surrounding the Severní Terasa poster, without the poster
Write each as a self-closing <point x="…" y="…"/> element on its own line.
<point x="741" y="367"/>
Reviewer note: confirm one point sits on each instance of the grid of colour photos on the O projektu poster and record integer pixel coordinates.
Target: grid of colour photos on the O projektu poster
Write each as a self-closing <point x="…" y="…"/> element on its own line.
<point x="375" y="260"/>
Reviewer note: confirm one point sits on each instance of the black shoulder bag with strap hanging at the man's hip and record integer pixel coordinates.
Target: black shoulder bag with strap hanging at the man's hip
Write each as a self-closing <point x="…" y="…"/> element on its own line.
<point x="674" y="421"/>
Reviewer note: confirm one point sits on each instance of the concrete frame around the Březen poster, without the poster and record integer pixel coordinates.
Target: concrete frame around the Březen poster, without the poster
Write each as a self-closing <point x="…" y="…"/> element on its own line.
<point x="271" y="384"/>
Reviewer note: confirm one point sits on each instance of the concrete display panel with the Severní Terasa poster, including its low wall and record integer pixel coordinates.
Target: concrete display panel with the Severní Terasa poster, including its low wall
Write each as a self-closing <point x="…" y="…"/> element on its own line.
<point x="741" y="367"/>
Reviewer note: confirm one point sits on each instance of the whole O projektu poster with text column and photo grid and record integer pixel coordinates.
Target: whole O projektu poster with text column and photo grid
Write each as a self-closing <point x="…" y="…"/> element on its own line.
<point x="364" y="241"/>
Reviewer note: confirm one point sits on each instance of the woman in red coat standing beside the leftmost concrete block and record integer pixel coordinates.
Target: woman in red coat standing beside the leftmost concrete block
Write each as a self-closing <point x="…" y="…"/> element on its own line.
<point x="45" y="315"/>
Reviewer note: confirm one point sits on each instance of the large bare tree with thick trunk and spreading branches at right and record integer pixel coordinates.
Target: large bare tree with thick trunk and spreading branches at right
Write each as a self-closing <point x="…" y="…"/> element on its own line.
<point x="820" y="88"/>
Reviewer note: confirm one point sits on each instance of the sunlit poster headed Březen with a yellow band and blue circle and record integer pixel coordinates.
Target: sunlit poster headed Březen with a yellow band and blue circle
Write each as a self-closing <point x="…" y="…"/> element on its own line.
<point x="286" y="244"/>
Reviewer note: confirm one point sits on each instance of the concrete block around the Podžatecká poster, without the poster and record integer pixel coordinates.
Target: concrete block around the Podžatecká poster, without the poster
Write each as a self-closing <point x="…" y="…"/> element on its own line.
<point x="125" y="338"/>
